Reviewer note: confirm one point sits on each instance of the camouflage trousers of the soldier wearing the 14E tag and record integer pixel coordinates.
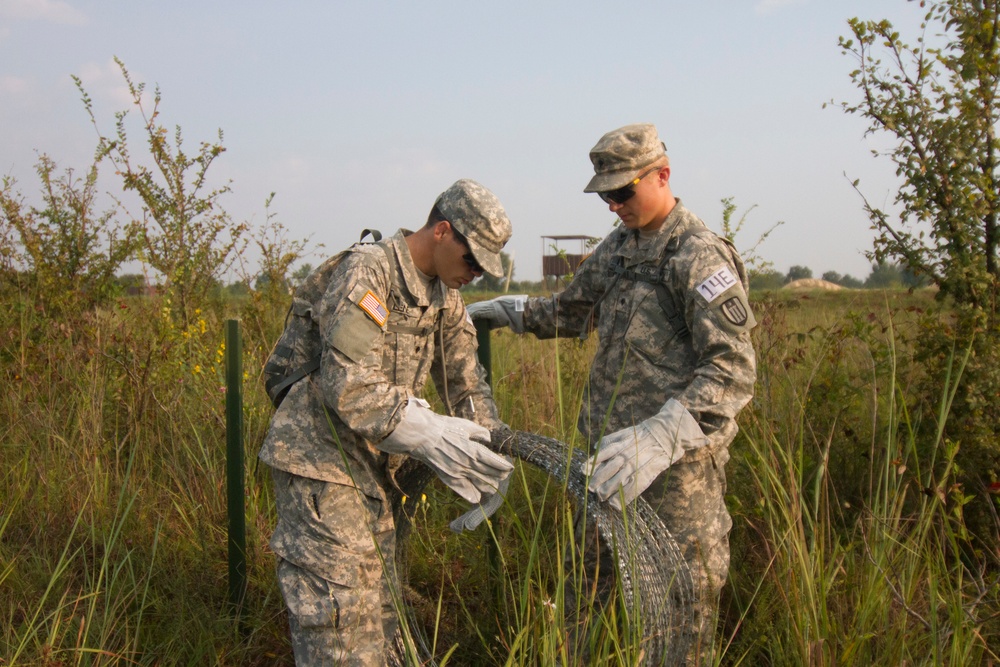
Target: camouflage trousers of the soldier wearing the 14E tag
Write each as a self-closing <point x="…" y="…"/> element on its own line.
<point x="690" y="499"/>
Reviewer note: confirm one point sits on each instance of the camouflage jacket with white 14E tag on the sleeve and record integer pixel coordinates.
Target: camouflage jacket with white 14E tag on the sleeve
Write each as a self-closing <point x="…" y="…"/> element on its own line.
<point x="642" y="360"/>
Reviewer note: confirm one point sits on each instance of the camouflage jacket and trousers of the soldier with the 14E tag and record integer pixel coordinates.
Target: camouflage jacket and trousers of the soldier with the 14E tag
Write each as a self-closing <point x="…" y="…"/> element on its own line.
<point x="642" y="361"/>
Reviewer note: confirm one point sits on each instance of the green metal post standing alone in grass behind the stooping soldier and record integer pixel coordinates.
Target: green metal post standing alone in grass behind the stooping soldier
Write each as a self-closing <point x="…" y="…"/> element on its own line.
<point x="234" y="464"/>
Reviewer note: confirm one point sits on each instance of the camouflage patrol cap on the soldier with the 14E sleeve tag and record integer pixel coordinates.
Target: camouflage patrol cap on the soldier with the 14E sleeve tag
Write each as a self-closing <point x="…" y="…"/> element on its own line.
<point x="621" y="153"/>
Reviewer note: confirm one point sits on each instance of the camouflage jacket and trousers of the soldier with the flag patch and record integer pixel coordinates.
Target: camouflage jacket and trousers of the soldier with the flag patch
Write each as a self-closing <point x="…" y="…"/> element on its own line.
<point x="333" y="488"/>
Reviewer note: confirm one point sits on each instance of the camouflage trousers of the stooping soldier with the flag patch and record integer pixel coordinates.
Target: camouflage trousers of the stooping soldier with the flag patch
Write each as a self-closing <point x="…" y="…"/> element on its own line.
<point x="335" y="546"/>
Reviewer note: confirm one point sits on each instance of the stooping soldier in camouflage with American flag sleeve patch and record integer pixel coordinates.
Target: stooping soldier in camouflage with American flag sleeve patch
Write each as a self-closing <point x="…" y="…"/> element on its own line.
<point x="388" y="315"/>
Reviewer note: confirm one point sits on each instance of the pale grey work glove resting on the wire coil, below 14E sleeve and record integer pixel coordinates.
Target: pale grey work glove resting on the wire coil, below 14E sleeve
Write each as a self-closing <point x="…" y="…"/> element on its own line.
<point x="630" y="459"/>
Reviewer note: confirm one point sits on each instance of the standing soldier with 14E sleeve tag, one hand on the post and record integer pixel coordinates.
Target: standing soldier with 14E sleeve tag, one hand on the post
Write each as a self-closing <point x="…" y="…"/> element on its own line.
<point x="674" y="363"/>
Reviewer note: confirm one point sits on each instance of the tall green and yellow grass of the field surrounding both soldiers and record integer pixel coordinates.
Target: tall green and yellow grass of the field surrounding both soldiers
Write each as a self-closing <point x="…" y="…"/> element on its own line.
<point x="849" y="546"/>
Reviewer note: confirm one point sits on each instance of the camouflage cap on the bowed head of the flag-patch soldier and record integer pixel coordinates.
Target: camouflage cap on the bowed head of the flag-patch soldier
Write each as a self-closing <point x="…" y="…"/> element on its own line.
<point x="478" y="216"/>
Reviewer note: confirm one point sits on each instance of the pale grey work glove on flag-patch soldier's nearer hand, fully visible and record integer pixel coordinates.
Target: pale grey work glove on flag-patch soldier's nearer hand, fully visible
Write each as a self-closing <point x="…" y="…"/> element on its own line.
<point x="452" y="447"/>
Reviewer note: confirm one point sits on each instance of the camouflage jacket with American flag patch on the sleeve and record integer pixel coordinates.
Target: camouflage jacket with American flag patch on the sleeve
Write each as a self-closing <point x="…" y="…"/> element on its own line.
<point x="382" y="335"/>
